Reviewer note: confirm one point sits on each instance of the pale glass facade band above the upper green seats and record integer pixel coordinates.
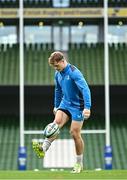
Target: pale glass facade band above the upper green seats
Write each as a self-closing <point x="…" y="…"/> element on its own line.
<point x="61" y="36"/>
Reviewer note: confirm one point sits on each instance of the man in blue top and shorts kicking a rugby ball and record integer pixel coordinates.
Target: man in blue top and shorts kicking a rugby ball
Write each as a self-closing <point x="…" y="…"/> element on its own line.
<point x="72" y="103"/>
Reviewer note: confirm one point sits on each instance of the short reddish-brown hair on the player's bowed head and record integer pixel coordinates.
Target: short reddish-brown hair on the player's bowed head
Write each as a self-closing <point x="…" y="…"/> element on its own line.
<point x="56" y="57"/>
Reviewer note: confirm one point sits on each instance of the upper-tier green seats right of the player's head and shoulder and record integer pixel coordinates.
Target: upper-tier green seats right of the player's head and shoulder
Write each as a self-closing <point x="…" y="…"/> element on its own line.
<point x="90" y="60"/>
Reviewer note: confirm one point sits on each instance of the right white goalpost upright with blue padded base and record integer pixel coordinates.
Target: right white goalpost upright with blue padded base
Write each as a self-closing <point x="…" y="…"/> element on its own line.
<point x="108" y="149"/>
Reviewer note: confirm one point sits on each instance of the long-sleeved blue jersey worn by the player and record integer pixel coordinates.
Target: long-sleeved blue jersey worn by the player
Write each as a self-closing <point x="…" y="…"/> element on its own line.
<point x="71" y="88"/>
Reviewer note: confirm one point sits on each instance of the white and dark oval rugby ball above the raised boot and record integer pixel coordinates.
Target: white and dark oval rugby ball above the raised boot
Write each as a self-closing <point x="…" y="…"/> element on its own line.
<point x="51" y="130"/>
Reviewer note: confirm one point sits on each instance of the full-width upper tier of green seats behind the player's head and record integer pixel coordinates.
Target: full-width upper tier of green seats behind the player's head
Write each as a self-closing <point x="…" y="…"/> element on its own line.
<point x="89" y="58"/>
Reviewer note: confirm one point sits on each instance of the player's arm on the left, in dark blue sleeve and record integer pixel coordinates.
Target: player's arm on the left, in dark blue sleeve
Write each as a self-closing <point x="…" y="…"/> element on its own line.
<point x="58" y="94"/>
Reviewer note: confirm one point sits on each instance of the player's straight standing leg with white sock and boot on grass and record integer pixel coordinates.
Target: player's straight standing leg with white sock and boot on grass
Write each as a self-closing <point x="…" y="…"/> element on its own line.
<point x="79" y="145"/>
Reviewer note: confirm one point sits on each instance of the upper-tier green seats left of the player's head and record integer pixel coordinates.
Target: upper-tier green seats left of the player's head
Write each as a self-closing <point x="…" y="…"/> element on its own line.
<point x="37" y="70"/>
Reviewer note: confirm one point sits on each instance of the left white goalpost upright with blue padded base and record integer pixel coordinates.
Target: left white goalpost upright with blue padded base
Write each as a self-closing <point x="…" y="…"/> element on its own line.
<point x="22" y="149"/>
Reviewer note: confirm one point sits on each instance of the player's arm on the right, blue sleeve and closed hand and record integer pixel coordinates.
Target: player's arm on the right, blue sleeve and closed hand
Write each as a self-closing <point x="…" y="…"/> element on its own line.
<point x="84" y="89"/>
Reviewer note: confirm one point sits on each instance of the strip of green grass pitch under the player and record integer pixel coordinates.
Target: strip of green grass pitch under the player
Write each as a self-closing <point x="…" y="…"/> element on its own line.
<point x="34" y="175"/>
